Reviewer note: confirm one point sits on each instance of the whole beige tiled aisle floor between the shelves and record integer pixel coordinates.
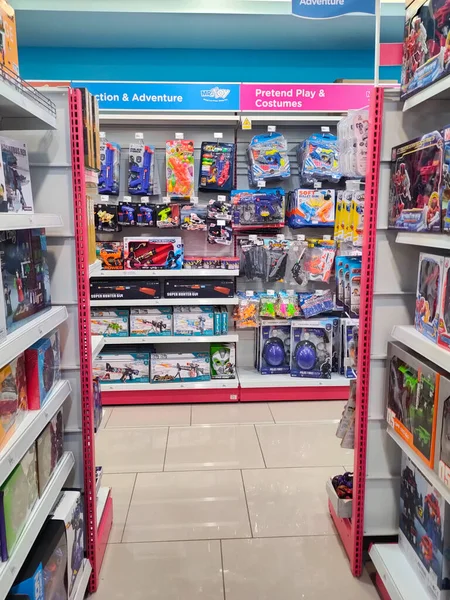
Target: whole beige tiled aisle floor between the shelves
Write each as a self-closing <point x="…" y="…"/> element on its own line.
<point x="224" y="502"/>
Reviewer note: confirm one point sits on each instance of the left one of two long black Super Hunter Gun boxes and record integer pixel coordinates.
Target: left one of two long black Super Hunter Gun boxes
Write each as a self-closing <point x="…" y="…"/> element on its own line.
<point x="129" y="289"/>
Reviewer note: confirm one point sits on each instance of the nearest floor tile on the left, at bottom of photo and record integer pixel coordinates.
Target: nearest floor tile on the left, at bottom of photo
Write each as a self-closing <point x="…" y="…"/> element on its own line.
<point x="162" y="571"/>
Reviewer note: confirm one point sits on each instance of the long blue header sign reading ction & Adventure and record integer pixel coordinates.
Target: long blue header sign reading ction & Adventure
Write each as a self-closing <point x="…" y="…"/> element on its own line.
<point x="163" y="96"/>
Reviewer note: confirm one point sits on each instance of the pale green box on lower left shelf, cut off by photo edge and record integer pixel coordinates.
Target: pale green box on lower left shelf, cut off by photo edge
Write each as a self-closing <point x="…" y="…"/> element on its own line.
<point x="17" y="497"/>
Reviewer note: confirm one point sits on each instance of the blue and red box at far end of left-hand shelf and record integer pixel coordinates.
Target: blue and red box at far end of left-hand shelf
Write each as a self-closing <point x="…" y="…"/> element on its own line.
<point x="42" y="361"/>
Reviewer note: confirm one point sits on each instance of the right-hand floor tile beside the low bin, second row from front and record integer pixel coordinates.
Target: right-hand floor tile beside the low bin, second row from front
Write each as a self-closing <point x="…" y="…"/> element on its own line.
<point x="289" y="502"/>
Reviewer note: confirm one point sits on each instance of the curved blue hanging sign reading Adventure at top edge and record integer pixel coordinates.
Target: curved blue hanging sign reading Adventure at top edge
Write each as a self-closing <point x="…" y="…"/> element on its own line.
<point x="326" y="9"/>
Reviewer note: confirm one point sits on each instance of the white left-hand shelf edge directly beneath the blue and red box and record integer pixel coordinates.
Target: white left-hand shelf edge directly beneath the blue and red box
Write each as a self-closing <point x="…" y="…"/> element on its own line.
<point x="32" y="425"/>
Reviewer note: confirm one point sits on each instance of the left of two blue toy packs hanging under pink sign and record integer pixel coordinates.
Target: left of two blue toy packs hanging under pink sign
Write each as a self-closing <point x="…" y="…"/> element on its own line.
<point x="268" y="158"/>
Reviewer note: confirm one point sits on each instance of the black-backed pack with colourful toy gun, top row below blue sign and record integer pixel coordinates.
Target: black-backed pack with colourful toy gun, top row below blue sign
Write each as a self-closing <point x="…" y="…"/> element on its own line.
<point x="216" y="166"/>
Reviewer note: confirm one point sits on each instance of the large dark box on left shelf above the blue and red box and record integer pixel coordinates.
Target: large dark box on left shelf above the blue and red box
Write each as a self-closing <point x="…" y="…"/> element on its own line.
<point x="25" y="274"/>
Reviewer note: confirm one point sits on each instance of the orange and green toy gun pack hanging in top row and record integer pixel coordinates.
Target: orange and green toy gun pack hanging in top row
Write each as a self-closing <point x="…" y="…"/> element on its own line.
<point x="180" y="168"/>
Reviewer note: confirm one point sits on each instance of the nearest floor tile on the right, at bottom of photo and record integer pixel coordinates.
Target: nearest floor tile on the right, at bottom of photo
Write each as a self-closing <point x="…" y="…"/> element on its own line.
<point x="307" y="568"/>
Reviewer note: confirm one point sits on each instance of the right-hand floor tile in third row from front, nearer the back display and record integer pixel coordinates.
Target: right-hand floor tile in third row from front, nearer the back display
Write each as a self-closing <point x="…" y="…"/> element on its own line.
<point x="302" y="445"/>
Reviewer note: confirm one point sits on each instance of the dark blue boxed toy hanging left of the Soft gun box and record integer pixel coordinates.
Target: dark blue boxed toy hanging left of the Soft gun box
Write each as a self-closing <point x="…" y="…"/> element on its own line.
<point x="264" y="208"/>
